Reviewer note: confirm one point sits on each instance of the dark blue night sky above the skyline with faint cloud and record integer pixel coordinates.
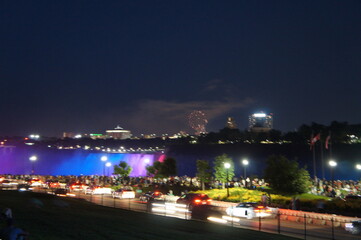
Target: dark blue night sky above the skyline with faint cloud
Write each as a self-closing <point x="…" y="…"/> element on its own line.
<point x="86" y="66"/>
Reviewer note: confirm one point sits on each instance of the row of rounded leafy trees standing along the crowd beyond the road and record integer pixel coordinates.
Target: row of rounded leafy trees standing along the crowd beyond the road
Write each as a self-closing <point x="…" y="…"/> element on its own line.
<point x="282" y="175"/>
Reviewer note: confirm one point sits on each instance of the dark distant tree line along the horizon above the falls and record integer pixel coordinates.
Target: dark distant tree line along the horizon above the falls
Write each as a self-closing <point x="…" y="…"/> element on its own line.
<point x="340" y="133"/>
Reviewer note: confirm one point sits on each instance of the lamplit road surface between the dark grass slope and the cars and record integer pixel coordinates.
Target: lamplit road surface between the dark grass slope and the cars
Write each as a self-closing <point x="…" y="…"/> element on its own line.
<point x="294" y="229"/>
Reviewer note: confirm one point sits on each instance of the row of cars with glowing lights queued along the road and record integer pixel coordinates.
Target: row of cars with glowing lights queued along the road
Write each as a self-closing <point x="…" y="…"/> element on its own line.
<point x="199" y="204"/>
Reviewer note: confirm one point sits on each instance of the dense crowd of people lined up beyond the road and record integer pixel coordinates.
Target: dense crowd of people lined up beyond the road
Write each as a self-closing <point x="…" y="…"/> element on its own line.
<point x="337" y="188"/>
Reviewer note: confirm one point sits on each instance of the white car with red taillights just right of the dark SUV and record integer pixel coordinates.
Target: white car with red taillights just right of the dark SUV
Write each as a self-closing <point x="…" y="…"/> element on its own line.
<point x="249" y="210"/>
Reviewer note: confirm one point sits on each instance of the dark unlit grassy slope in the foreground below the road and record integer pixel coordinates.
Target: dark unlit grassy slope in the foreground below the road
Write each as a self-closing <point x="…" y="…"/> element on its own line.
<point x="49" y="217"/>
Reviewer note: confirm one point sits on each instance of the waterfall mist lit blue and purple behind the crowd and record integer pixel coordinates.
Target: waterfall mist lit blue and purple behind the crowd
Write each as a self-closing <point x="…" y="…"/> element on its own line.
<point x="70" y="162"/>
